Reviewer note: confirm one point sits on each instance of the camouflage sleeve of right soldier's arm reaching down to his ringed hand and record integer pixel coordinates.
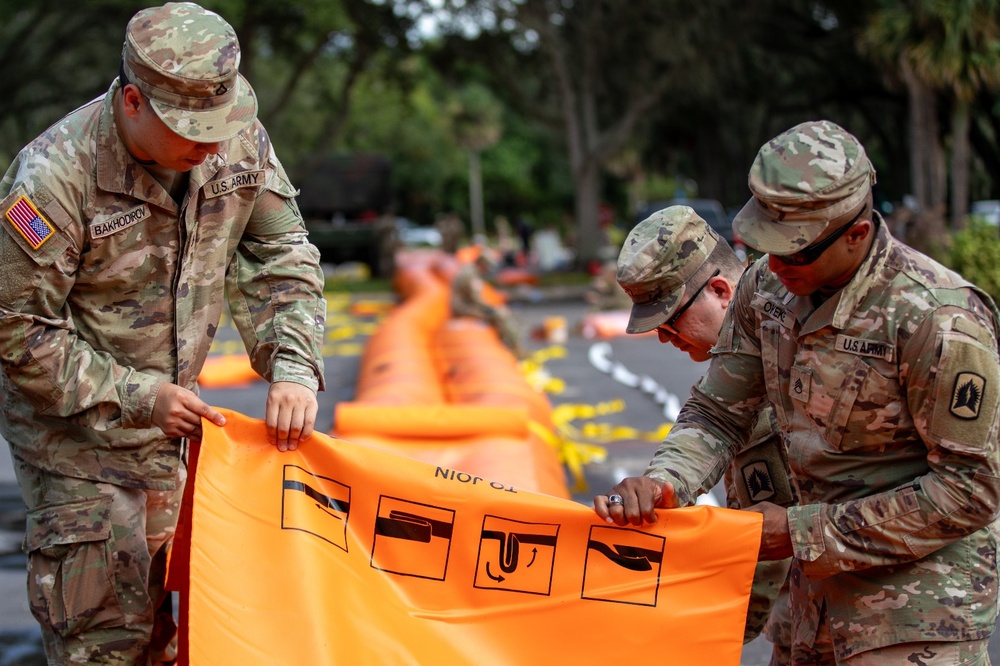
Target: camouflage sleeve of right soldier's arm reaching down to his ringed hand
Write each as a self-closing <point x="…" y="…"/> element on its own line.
<point x="714" y="423"/>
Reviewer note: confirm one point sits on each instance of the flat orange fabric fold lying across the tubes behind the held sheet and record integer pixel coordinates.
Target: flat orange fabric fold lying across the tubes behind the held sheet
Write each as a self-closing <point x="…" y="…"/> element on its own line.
<point x="438" y="421"/>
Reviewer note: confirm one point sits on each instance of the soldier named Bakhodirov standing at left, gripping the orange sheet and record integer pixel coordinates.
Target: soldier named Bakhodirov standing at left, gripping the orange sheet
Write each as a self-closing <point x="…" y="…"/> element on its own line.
<point x="125" y="226"/>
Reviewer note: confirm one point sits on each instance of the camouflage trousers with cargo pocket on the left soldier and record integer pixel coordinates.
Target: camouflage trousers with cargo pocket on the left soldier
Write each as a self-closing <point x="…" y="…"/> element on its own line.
<point x="97" y="557"/>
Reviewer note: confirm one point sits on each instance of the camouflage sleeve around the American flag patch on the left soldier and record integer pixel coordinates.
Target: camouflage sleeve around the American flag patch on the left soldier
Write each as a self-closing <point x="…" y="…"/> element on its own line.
<point x="41" y="351"/>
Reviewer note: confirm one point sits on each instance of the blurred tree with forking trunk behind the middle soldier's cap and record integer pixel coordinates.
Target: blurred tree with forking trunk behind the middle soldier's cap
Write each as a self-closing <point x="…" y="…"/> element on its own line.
<point x="591" y="70"/>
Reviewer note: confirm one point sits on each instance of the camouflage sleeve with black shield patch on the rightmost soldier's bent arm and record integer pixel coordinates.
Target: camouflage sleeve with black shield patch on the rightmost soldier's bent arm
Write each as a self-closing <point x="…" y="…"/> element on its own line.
<point x="952" y="374"/>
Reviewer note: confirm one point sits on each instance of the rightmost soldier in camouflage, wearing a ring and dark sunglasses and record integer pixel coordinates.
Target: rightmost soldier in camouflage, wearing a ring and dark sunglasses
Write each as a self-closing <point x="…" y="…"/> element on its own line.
<point x="881" y="366"/>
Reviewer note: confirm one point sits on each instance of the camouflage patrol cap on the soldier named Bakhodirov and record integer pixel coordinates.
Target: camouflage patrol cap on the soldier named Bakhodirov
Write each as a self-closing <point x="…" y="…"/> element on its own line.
<point x="185" y="60"/>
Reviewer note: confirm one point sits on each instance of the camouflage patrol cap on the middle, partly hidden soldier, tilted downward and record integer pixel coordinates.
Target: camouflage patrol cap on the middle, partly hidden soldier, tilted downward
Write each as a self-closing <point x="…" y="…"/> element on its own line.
<point x="660" y="256"/>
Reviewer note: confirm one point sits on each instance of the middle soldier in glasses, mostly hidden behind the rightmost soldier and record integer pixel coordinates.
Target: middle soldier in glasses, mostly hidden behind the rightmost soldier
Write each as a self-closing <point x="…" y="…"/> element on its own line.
<point x="681" y="275"/>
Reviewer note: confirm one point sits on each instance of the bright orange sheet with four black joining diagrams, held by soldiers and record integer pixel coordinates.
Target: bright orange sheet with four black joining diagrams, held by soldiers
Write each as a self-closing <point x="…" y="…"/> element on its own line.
<point x="343" y="554"/>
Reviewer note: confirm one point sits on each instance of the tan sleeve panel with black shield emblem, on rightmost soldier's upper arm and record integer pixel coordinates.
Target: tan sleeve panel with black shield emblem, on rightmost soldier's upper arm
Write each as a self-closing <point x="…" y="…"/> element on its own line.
<point x="966" y="389"/>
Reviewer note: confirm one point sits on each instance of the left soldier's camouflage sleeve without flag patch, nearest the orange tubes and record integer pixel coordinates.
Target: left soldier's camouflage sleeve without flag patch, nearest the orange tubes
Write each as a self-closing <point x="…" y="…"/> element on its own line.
<point x="275" y="288"/>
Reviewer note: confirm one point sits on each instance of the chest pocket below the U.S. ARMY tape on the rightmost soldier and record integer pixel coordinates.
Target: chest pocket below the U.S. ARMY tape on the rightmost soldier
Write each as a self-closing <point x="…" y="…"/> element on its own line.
<point x="868" y="410"/>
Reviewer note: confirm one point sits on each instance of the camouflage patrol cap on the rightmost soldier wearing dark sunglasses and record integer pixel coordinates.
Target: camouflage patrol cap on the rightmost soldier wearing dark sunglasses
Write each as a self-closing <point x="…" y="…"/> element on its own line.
<point x="802" y="180"/>
